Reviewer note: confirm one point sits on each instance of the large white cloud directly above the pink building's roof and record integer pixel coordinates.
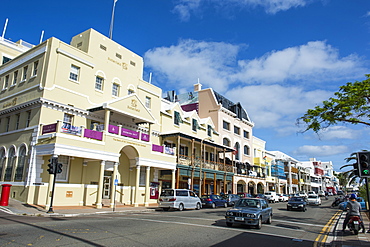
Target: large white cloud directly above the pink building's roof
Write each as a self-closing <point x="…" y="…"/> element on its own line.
<point x="181" y="65"/>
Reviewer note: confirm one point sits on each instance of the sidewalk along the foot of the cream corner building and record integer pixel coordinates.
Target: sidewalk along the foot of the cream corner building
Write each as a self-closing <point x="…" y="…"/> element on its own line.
<point x="19" y="208"/>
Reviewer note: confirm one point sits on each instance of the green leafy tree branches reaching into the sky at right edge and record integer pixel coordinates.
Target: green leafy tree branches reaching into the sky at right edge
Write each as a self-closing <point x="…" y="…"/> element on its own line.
<point x="351" y="104"/>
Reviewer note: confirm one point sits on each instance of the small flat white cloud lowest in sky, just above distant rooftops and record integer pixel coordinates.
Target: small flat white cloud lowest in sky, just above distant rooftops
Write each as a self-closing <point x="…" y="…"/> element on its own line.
<point x="320" y="151"/>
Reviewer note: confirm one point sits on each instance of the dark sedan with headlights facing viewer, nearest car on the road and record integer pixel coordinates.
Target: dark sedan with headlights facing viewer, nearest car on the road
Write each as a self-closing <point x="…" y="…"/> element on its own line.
<point x="249" y="211"/>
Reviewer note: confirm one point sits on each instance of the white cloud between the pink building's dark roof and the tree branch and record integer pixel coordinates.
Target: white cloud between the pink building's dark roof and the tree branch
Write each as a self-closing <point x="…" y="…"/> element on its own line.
<point x="276" y="106"/>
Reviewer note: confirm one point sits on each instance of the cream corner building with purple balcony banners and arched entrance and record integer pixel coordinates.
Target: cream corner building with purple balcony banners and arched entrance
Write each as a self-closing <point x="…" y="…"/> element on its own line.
<point x="87" y="104"/>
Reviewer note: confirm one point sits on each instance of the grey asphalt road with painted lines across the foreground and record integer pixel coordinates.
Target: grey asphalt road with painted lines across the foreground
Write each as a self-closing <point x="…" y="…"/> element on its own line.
<point x="206" y="227"/>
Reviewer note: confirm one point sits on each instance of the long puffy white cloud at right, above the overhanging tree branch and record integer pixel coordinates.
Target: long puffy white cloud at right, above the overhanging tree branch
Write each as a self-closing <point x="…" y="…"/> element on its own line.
<point x="314" y="61"/>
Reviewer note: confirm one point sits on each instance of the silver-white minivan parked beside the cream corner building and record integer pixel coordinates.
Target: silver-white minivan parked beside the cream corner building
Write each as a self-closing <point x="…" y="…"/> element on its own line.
<point x="179" y="199"/>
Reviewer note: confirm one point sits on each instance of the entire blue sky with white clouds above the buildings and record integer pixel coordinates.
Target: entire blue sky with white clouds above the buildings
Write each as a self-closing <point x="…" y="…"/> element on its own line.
<point x="277" y="57"/>
